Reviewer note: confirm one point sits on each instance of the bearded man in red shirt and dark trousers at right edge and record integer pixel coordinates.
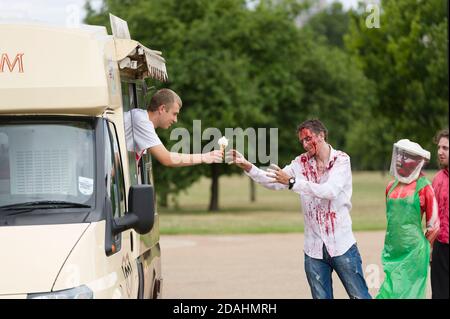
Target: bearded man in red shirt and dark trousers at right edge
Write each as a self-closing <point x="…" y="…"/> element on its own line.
<point x="439" y="261"/>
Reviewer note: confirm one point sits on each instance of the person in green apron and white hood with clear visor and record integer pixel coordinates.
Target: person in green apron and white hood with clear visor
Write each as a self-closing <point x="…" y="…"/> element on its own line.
<point x="406" y="253"/>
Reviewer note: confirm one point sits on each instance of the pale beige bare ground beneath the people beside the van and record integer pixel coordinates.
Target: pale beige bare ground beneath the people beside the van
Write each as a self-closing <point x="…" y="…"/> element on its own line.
<point x="268" y="266"/>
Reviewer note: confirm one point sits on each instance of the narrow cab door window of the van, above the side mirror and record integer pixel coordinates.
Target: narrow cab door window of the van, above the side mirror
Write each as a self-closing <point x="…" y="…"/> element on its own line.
<point x="114" y="172"/>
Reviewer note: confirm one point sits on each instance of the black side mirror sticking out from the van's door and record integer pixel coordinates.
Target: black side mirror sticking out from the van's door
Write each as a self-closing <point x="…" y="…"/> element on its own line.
<point x="141" y="211"/>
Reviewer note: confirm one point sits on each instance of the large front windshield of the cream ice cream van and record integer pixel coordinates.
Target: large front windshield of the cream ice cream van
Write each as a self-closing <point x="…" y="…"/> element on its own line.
<point x="47" y="162"/>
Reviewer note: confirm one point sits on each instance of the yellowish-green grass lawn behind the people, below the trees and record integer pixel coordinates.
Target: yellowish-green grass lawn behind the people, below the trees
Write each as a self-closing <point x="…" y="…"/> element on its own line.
<point x="273" y="211"/>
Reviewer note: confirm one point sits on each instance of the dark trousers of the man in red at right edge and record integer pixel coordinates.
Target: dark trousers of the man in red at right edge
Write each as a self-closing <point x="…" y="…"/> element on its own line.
<point x="439" y="271"/>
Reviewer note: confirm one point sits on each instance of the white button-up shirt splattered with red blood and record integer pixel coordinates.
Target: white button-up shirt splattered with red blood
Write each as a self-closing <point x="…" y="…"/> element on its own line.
<point x="325" y="201"/>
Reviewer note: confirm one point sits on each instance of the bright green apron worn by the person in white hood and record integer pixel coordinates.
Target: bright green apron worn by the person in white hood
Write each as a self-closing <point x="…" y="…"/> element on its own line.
<point x="406" y="253"/>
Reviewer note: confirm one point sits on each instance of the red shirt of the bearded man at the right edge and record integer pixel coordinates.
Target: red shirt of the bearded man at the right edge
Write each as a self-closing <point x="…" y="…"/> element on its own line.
<point x="440" y="185"/>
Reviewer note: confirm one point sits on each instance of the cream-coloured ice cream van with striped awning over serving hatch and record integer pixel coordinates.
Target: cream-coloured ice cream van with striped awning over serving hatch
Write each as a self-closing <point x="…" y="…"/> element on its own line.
<point x="77" y="210"/>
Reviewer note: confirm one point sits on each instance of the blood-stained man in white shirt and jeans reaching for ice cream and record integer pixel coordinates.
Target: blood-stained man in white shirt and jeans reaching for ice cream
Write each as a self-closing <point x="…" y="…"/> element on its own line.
<point x="322" y="177"/>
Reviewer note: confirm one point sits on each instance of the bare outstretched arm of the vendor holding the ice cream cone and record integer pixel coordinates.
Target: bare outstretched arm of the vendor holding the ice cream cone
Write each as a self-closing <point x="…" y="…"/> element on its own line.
<point x="172" y="159"/>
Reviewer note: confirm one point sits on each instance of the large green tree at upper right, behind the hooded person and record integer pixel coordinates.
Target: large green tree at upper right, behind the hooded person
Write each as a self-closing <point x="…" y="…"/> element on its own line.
<point x="406" y="58"/>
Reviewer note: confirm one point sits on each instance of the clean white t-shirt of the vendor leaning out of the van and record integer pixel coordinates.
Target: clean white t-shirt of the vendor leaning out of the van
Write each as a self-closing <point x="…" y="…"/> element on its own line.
<point x="140" y="132"/>
